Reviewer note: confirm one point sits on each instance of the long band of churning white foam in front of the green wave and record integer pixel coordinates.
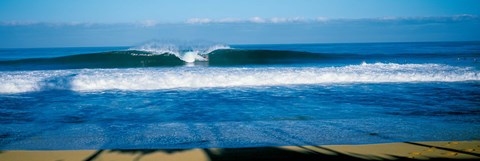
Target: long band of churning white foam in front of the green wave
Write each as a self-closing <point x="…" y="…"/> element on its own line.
<point x="200" y="77"/>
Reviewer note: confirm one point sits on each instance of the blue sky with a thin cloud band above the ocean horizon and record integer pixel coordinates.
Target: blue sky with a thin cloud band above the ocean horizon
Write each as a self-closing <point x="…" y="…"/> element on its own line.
<point x="73" y="23"/>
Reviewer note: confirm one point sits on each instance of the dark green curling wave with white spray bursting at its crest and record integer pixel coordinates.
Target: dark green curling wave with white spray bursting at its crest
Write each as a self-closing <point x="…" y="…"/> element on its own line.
<point x="155" y="57"/>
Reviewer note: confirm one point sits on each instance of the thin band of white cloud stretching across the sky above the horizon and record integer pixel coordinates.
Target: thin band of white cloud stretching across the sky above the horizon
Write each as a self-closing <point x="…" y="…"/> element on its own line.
<point x="260" y="20"/>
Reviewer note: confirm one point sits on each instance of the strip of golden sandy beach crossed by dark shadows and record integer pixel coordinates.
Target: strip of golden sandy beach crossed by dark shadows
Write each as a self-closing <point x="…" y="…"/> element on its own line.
<point x="453" y="150"/>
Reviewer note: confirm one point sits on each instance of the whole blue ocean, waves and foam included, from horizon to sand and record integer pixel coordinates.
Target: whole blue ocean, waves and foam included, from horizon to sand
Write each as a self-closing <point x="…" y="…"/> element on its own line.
<point x="198" y="95"/>
